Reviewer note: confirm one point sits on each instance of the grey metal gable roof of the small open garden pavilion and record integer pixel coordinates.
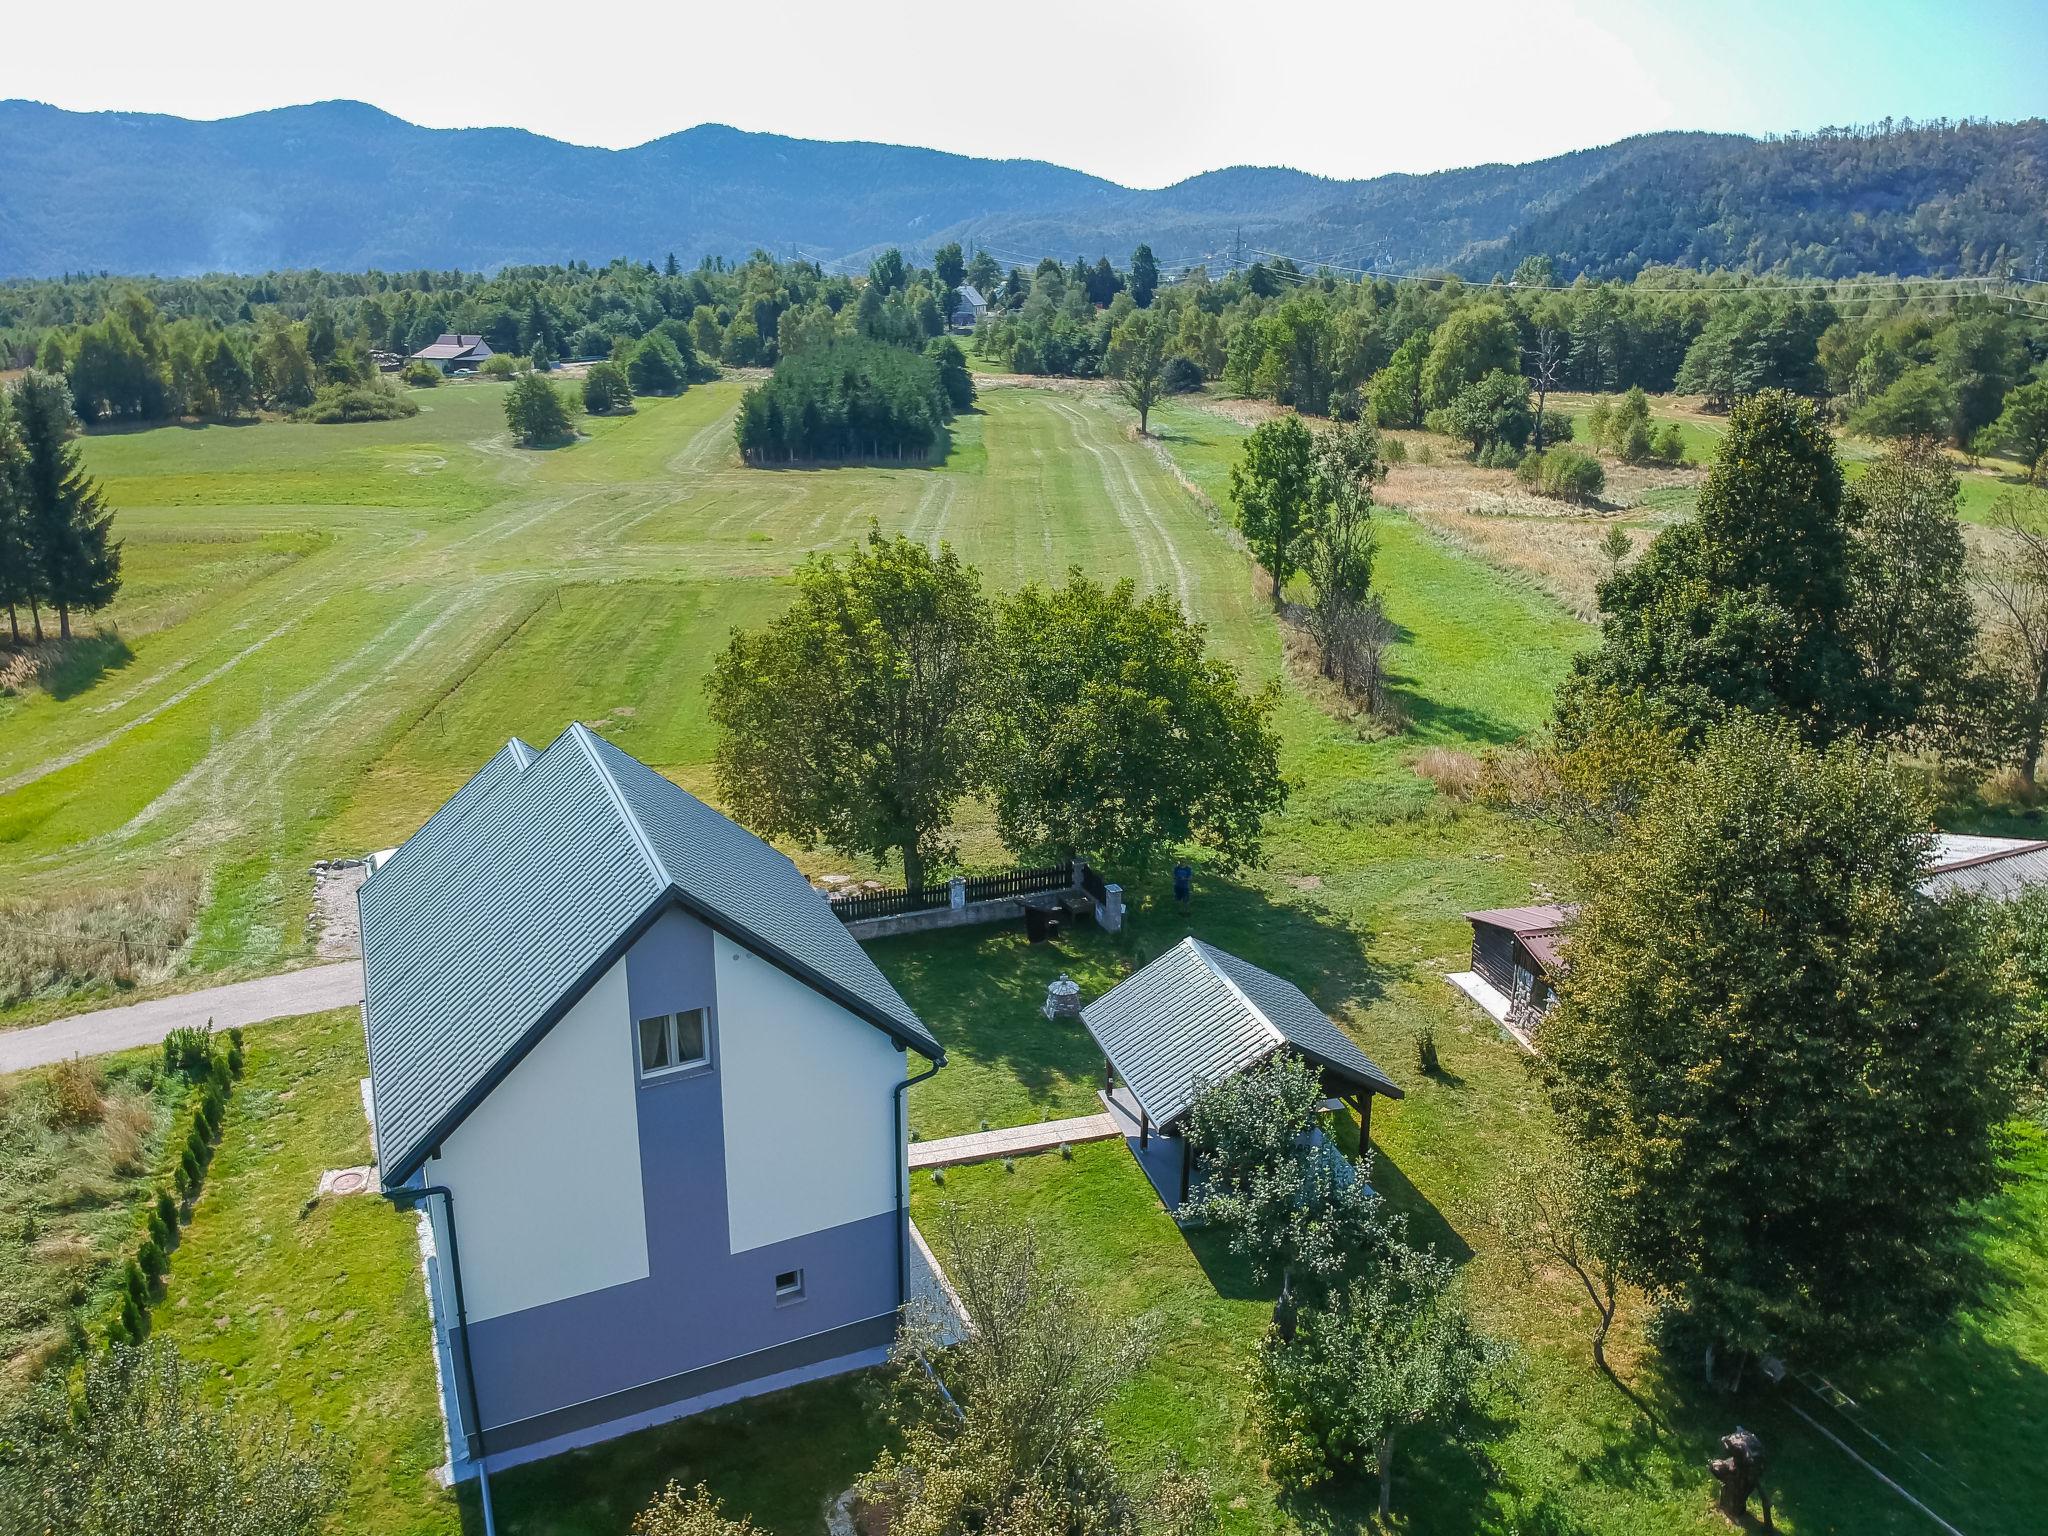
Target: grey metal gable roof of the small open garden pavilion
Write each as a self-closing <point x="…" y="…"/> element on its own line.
<point x="1199" y="1015"/>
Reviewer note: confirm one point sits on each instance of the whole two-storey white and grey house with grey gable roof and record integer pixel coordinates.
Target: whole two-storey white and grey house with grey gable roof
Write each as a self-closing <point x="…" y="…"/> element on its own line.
<point x="648" y="1093"/>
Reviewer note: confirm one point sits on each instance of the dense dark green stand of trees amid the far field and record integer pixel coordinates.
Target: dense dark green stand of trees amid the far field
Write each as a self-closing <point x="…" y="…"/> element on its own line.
<point x="853" y="398"/>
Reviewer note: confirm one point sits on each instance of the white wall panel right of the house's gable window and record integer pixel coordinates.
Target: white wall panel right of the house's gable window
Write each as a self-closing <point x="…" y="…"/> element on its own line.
<point x="806" y="1101"/>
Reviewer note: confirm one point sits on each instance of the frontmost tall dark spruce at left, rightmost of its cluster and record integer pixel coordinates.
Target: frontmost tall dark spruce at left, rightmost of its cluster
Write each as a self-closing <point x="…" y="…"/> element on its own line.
<point x="69" y="523"/>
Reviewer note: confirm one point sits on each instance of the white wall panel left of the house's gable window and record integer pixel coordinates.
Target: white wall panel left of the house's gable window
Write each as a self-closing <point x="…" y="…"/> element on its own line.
<point x="546" y="1172"/>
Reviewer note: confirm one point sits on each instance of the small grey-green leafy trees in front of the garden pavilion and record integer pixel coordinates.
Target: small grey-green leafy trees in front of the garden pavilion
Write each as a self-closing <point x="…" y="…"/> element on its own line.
<point x="1371" y="1338"/>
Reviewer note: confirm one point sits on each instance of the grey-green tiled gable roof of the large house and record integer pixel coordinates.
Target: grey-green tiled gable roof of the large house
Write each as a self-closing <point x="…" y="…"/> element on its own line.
<point x="501" y="912"/>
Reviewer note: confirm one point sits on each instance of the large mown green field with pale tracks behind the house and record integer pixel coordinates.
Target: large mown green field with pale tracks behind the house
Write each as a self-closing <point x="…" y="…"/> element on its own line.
<point x="329" y="628"/>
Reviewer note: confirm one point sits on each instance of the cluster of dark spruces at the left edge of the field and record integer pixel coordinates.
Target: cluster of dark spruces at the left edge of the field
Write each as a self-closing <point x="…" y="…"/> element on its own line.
<point x="56" y="531"/>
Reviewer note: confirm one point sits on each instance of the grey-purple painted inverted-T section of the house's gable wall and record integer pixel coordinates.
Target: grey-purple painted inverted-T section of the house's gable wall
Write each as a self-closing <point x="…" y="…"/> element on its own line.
<point x="699" y="1304"/>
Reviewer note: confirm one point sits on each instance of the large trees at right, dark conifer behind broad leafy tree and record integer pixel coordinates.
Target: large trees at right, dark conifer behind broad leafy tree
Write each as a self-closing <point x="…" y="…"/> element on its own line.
<point x="1781" y="1070"/>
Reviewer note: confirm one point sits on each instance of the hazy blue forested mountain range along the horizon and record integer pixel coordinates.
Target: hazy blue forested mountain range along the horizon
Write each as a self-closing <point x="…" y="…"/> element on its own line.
<point x="347" y="187"/>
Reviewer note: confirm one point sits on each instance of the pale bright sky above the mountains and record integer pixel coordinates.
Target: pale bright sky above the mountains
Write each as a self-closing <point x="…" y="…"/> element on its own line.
<point x="1138" y="93"/>
